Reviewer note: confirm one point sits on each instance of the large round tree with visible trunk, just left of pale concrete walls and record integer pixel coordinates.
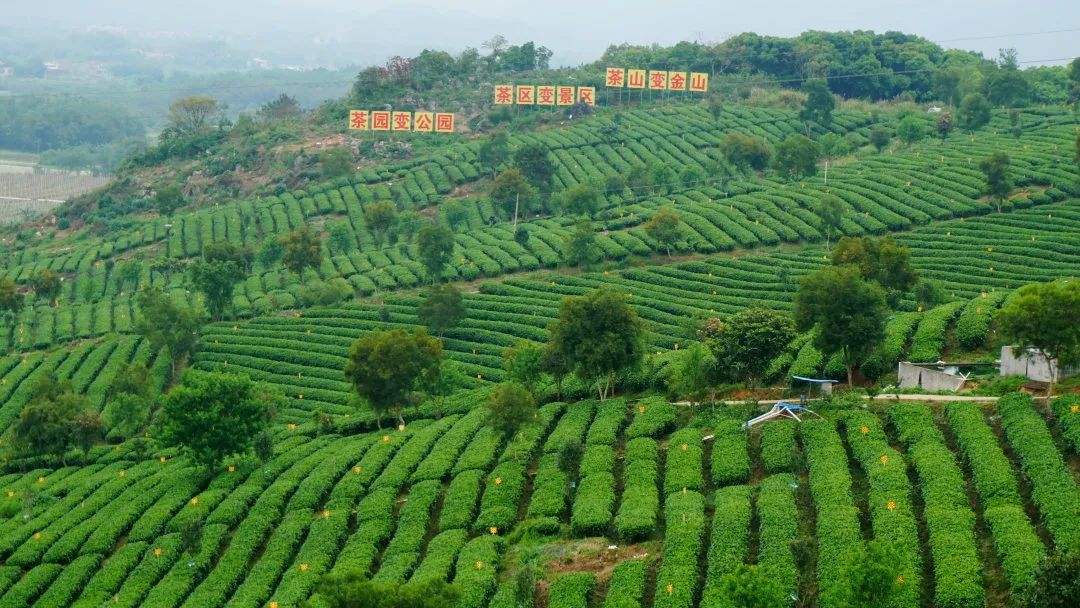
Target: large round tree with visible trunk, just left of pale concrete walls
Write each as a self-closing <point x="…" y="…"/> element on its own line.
<point x="848" y="312"/>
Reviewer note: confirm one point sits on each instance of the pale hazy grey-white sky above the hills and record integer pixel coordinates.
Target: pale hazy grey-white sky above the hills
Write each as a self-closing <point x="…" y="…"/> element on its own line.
<point x="578" y="31"/>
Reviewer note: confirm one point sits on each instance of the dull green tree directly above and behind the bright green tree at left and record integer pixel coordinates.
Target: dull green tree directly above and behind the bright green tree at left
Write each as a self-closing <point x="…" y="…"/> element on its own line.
<point x="168" y="326"/>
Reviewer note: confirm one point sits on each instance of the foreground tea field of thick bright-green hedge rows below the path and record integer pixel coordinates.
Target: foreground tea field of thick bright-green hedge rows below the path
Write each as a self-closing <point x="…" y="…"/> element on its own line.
<point x="971" y="497"/>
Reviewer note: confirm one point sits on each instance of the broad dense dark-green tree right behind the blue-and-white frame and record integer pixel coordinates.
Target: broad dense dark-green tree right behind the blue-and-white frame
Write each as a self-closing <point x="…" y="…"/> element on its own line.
<point x="746" y="344"/>
